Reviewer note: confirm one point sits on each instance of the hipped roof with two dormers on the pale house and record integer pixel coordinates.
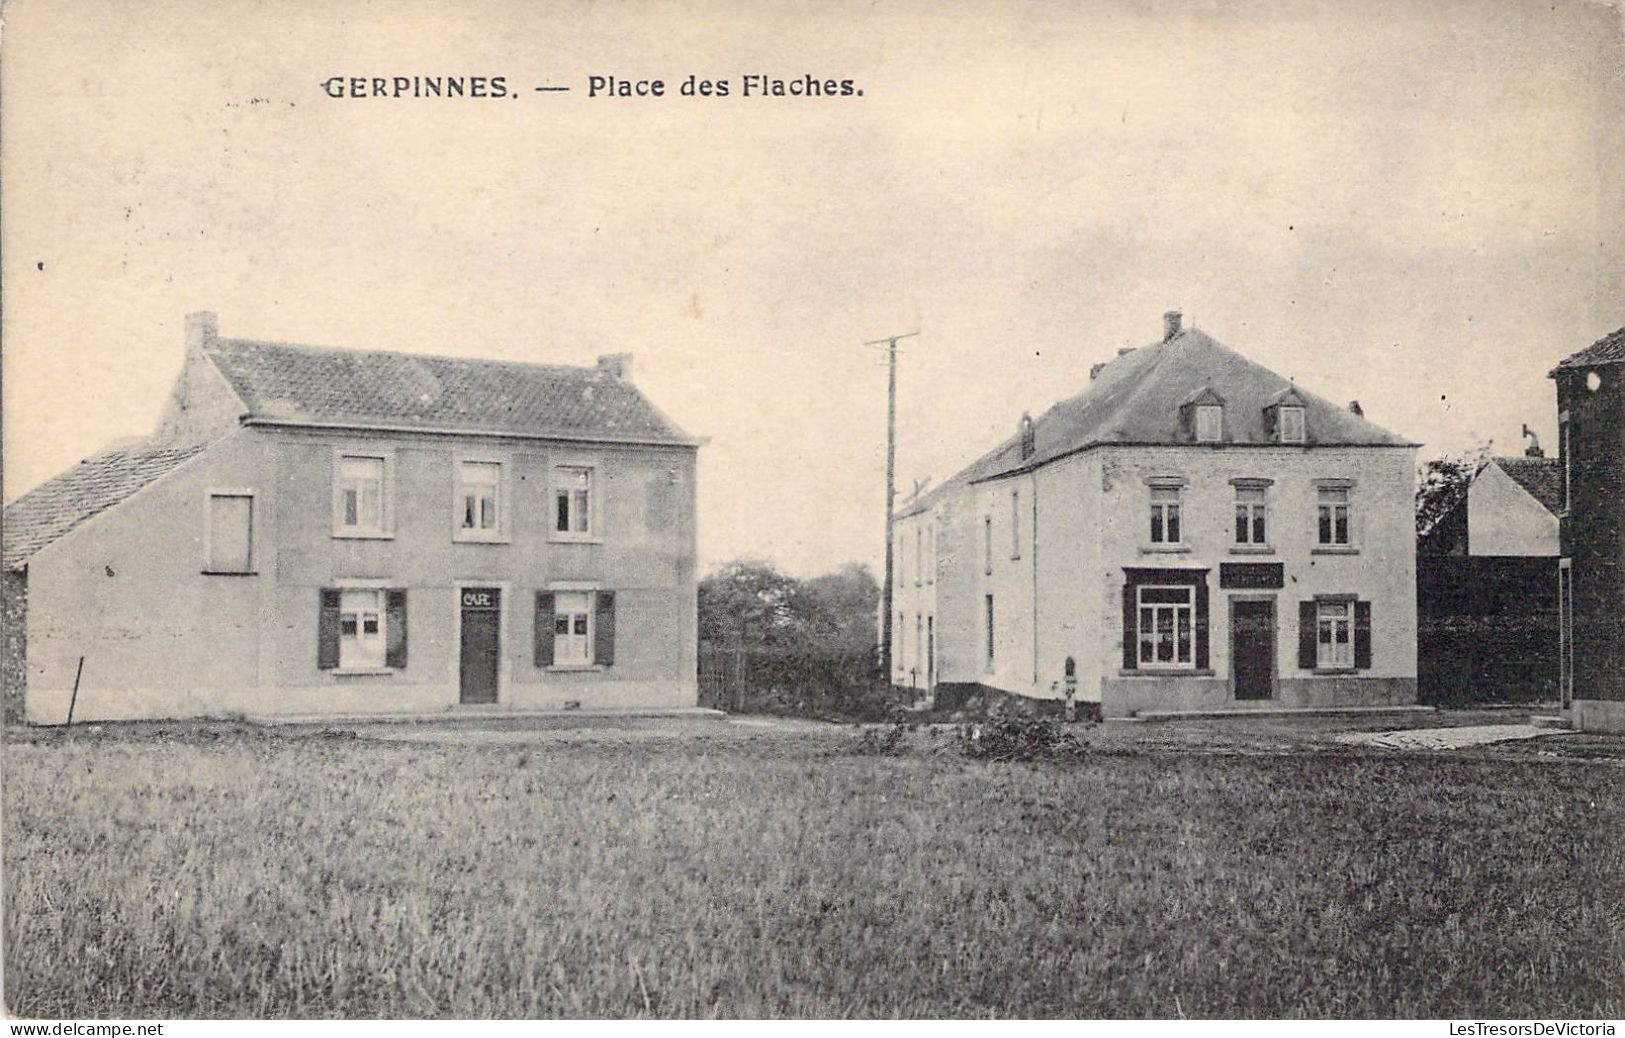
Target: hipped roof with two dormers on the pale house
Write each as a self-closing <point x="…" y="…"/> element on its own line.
<point x="1137" y="400"/>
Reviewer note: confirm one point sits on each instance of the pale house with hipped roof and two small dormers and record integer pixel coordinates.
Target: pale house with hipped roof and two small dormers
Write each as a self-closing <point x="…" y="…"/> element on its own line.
<point x="1192" y="532"/>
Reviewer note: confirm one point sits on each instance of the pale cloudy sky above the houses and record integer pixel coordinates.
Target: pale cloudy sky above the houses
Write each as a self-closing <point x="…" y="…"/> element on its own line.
<point x="1418" y="205"/>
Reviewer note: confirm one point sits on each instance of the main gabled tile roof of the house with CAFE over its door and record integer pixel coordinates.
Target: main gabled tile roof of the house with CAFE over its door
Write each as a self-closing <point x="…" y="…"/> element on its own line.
<point x="371" y="387"/>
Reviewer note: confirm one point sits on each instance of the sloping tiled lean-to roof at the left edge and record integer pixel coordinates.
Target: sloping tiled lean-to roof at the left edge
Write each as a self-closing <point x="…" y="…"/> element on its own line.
<point x="95" y="485"/>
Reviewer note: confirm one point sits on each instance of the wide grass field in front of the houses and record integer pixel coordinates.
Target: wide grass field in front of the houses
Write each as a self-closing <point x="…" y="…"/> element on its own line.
<point x="704" y="868"/>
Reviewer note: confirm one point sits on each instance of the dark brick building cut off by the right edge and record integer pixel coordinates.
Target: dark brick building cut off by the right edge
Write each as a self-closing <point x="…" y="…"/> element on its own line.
<point x="1592" y="569"/>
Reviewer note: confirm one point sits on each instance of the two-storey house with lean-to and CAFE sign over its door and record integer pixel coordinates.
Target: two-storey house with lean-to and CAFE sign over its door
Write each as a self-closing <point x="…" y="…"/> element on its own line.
<point x="323" y="530"/>
